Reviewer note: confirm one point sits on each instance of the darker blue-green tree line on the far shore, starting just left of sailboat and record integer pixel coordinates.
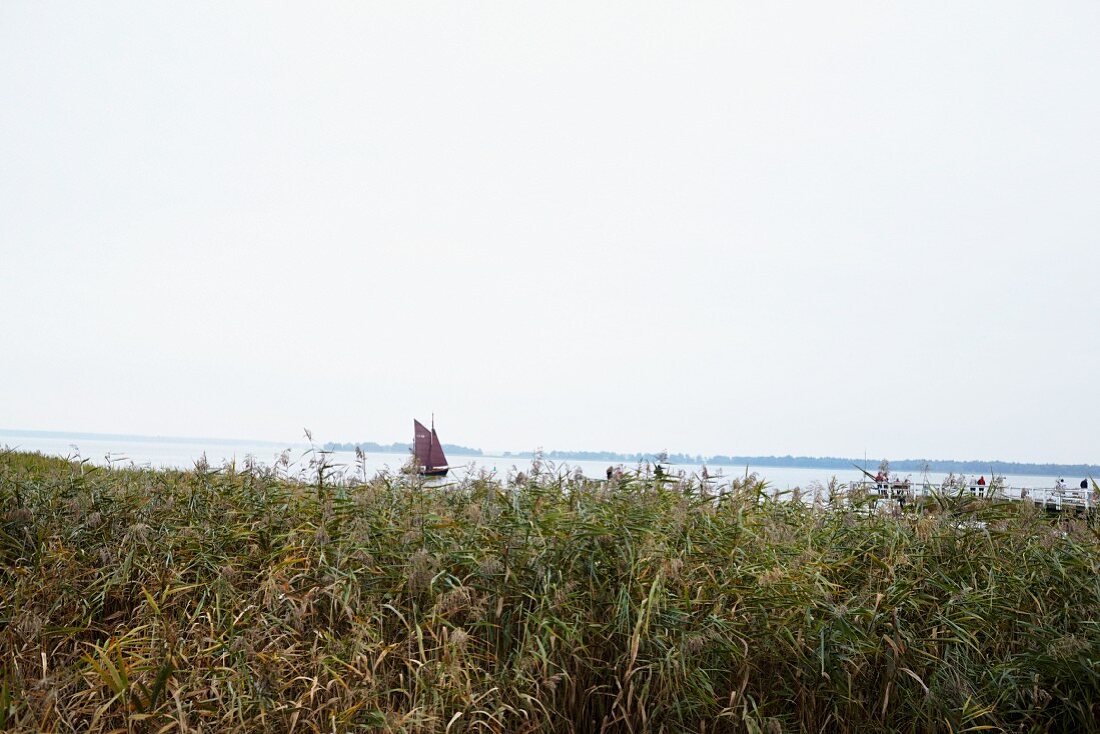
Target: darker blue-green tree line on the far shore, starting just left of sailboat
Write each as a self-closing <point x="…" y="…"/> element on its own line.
<point x="941" y="466"/>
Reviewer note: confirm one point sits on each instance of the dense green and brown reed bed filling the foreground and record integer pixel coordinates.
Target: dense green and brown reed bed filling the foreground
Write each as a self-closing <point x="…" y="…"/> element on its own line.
<point x="266" y="599"/>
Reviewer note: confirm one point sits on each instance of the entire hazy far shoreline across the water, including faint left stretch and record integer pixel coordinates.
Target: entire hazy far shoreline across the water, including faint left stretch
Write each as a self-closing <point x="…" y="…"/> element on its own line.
<point x="908" y="466"/>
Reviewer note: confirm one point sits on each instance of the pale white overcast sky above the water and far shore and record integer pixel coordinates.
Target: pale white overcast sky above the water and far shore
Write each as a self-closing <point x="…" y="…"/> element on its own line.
<point x="738" y="228"/>
